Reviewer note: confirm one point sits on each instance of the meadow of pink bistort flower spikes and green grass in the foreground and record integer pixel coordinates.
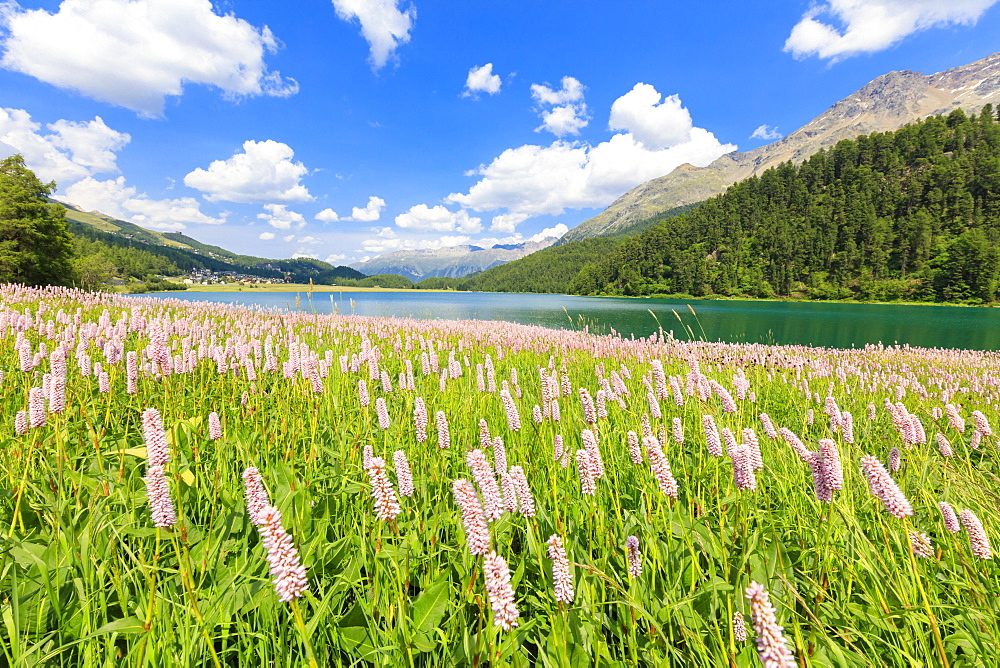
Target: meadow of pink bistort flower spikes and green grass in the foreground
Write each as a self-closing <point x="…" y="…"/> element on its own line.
<point x="196" y="484"/>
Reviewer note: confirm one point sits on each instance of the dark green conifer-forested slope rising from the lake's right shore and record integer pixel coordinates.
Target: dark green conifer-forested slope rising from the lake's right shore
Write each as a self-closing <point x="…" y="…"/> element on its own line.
<point x="911" y="214"/>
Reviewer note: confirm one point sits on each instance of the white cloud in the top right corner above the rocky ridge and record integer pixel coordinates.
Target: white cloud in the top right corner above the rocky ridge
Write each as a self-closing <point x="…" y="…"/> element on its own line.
<point x="867" y="26"/>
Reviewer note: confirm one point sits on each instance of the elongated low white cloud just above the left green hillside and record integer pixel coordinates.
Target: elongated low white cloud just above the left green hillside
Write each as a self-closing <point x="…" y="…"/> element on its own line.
<point x="118" y="200"/>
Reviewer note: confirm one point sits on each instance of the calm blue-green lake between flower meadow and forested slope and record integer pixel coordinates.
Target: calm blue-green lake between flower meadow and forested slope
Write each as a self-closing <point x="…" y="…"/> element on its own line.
<point x="833" y="325"/>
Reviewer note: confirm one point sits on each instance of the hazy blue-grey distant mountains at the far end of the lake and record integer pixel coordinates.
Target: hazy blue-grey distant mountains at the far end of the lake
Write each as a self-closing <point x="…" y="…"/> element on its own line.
<point x="452" y="262"/>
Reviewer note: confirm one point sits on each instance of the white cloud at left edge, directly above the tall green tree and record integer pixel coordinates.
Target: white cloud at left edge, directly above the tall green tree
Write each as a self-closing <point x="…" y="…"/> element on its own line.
<point x="69" y="152"/>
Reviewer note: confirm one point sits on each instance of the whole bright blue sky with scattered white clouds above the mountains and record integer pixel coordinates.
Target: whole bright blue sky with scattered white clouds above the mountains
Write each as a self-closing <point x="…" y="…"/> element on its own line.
<point x="342" y="129"/>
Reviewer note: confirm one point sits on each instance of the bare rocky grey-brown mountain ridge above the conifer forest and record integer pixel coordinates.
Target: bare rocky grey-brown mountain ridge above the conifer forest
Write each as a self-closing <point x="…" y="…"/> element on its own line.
<point x="887" y="103"/>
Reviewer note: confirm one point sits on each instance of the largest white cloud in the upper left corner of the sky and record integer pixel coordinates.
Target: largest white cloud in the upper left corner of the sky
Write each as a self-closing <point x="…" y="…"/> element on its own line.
<point x="135" y="53"/>
